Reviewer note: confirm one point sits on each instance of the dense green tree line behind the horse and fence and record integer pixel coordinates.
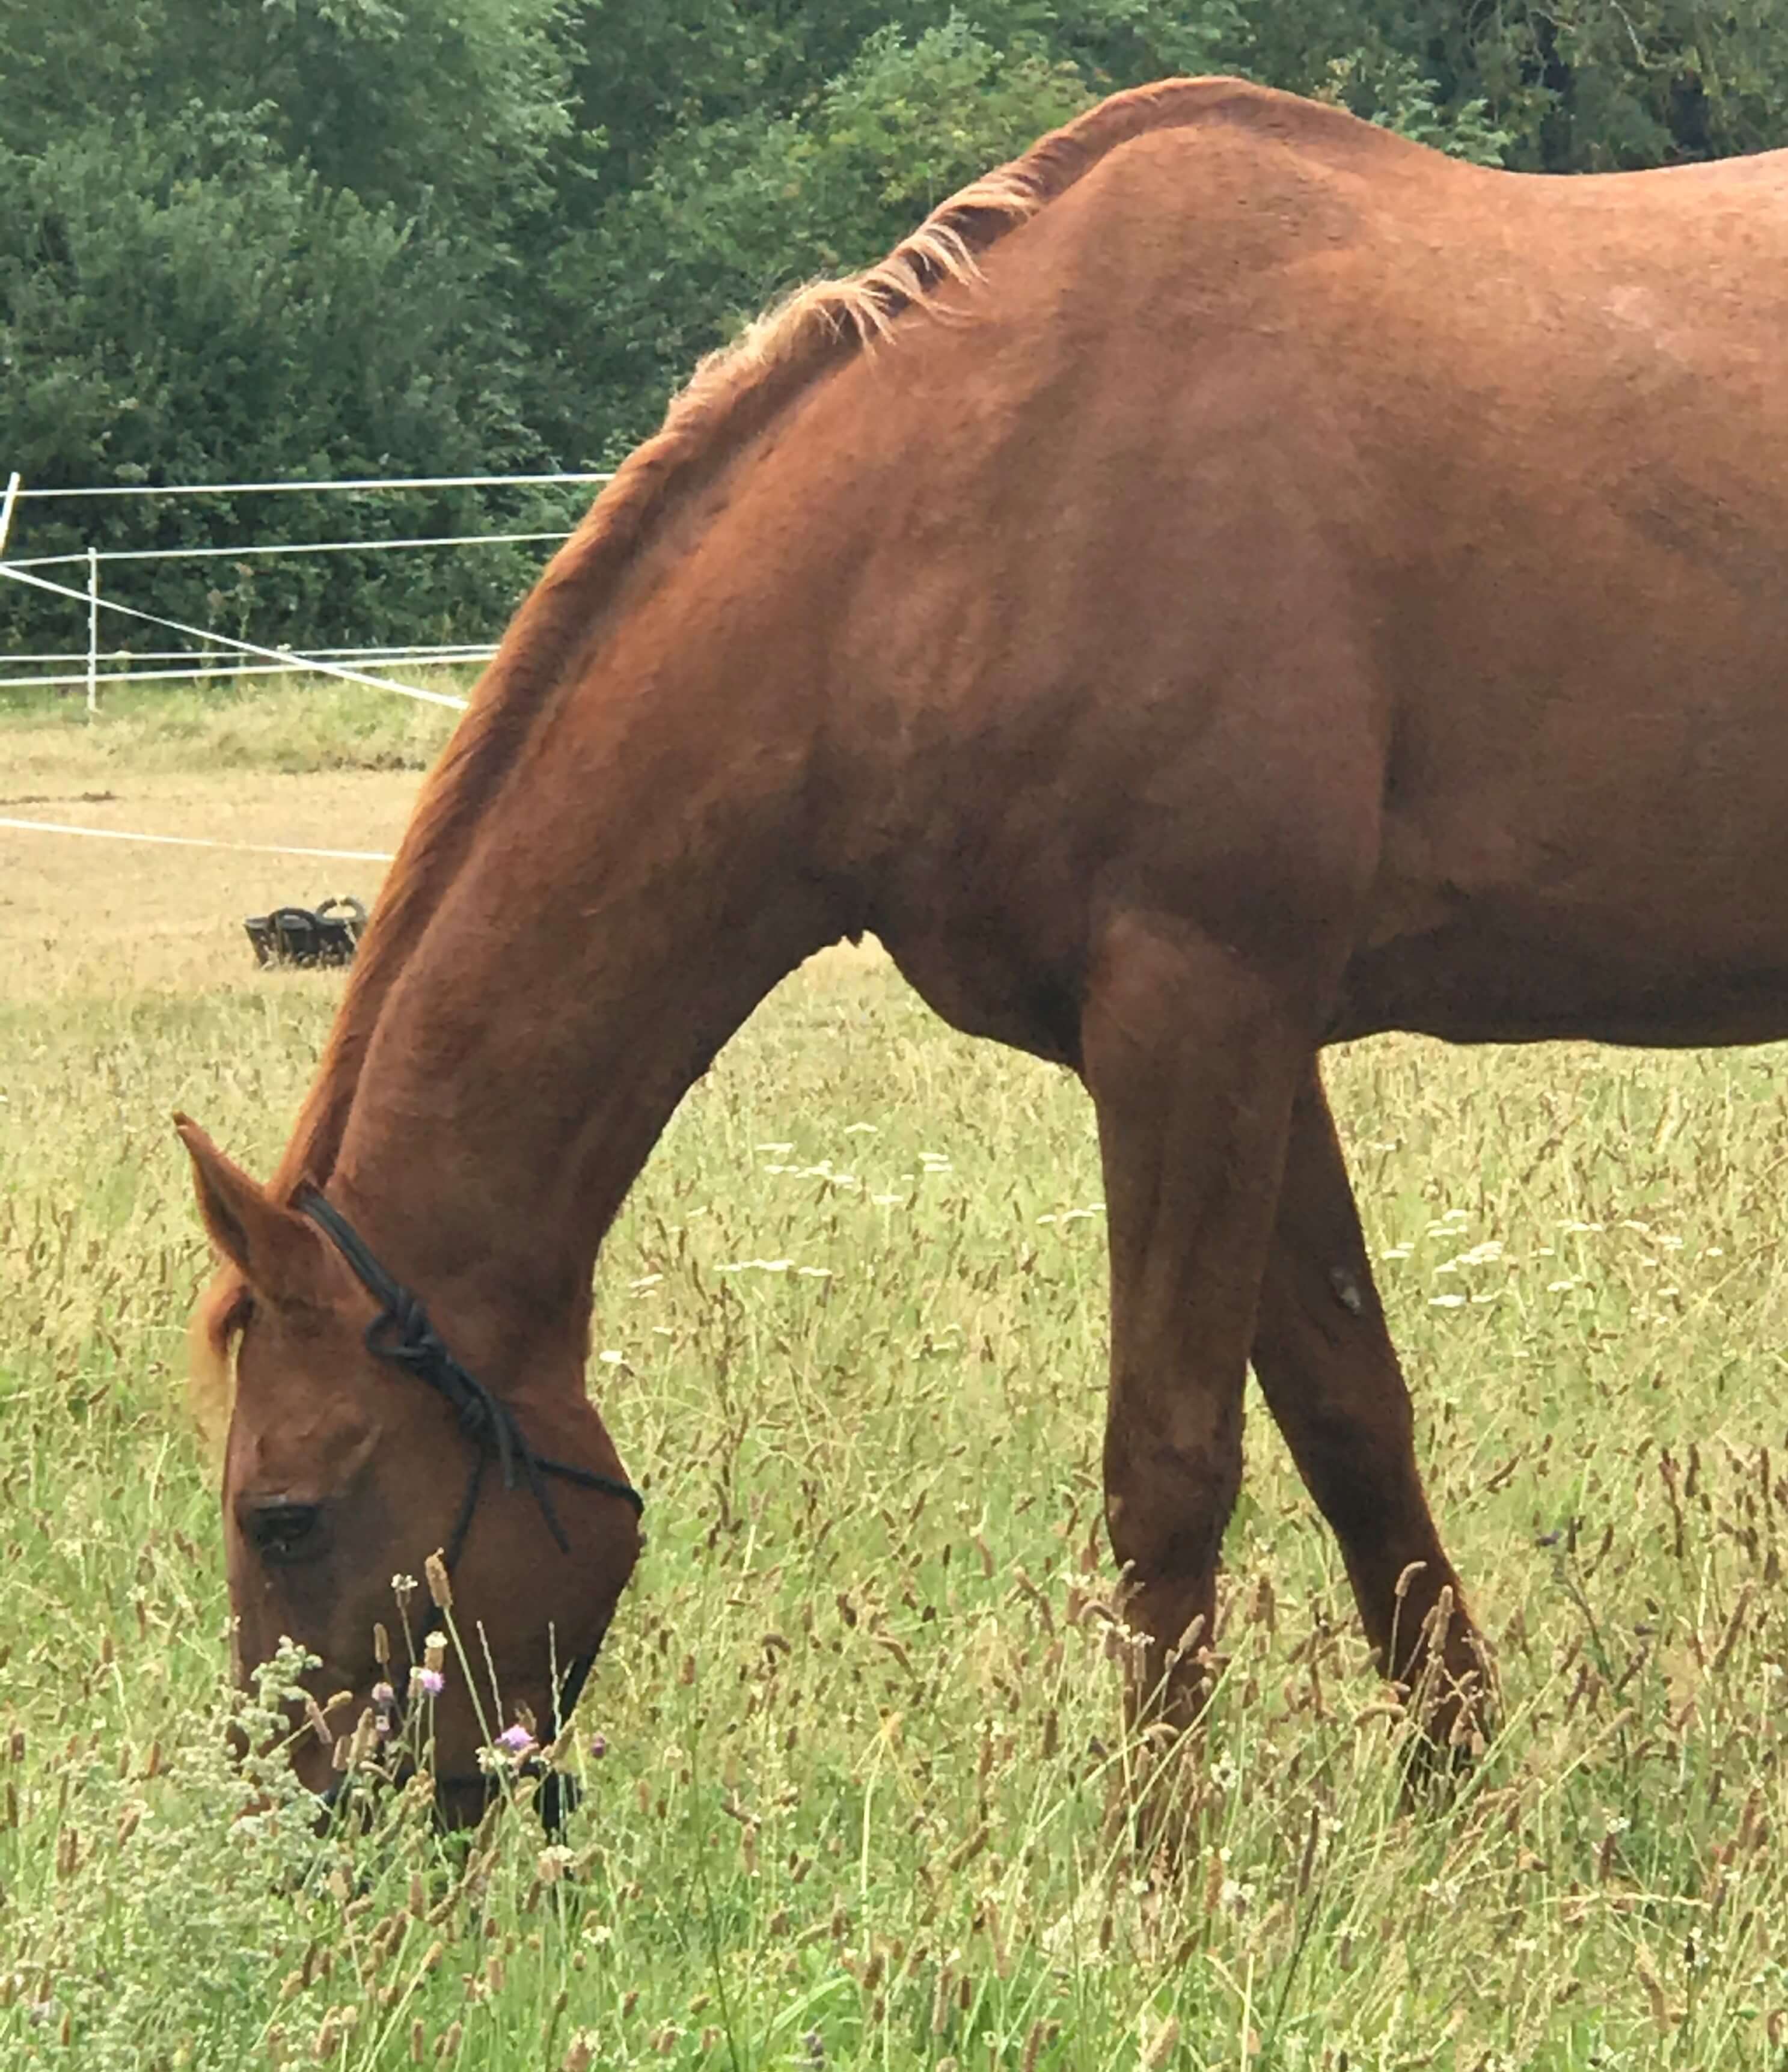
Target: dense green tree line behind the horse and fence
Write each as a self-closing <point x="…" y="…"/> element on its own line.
<point x="326" y="237"/>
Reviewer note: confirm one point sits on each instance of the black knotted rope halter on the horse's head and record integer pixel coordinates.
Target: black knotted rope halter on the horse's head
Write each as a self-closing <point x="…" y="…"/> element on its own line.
<point x="403" y="1335"/>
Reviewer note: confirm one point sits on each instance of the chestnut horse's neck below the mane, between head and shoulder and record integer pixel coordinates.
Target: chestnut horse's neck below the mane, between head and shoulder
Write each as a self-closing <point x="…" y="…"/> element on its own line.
<point x="635" y="888"/>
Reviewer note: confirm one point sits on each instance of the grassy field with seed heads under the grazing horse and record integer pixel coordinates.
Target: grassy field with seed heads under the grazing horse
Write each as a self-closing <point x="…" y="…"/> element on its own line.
<point x="861" y="1795"/>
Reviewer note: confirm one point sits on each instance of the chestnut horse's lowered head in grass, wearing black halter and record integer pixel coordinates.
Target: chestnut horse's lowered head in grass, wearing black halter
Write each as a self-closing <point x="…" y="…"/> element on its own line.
<point x="349" y="1468"/>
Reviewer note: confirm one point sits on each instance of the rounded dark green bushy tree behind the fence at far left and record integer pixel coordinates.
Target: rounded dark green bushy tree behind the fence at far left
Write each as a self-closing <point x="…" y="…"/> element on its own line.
<point x="181" y="306"/>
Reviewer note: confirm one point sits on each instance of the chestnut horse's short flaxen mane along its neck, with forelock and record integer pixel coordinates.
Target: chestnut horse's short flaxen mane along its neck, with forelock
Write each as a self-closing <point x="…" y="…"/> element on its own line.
<point x="728" y="399"/>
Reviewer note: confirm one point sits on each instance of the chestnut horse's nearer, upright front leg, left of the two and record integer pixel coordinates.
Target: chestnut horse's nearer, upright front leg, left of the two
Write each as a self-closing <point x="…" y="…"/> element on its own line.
<point x="1194" y="1062"/>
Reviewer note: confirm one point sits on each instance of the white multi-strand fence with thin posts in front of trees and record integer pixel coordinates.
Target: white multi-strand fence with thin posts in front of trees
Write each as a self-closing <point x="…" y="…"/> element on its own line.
<point x="40" y="668"/>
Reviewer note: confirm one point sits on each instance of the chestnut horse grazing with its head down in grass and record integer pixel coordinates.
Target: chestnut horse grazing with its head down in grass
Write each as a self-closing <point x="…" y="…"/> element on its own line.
<point x="1232" y="581"/>
